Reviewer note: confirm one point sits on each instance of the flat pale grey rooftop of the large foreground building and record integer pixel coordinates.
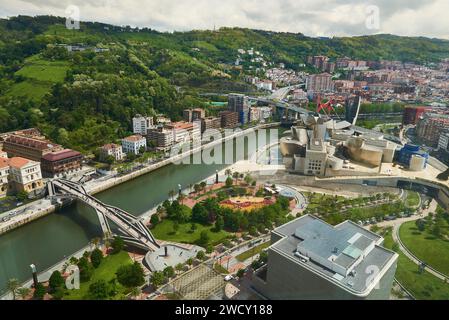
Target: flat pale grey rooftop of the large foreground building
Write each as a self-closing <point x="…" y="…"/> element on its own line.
<point x="343" y="254"/>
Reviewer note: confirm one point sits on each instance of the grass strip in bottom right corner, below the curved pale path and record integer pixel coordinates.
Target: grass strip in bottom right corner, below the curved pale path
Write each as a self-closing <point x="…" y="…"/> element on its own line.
<point x="422" y="286"/>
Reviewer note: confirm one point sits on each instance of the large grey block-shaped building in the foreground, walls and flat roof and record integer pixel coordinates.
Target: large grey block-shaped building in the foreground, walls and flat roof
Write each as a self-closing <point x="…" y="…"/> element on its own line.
<point x="312" y="260"/>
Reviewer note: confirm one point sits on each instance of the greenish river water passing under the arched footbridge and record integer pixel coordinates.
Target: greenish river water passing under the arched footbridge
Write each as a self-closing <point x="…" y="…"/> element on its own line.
<point x="46" y="241"/>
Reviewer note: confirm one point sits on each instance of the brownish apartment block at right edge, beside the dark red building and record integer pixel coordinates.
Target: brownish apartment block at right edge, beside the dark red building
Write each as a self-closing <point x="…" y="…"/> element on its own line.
<point x="431" y="126"/>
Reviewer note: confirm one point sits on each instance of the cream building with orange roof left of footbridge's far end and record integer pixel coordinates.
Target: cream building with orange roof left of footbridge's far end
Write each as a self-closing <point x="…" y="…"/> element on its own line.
<point x="25" y="175"/>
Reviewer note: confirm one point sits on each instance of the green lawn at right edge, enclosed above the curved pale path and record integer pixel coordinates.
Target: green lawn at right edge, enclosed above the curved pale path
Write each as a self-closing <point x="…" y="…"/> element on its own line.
<point x="433" y="251"/>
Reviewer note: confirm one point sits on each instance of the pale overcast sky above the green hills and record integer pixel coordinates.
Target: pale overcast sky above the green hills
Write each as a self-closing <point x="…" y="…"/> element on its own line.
<point x="311" y="17"/>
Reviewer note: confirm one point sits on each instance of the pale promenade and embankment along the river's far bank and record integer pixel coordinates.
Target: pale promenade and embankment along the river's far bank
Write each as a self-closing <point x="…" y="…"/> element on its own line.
<point x="97" y="186"/>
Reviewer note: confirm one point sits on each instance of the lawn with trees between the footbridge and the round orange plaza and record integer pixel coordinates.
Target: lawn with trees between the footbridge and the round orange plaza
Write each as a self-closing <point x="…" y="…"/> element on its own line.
<point x="164" y="231"/>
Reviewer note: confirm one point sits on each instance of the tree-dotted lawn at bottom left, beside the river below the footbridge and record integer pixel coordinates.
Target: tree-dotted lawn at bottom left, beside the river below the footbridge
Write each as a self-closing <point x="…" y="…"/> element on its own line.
<point x="106" y="271"/>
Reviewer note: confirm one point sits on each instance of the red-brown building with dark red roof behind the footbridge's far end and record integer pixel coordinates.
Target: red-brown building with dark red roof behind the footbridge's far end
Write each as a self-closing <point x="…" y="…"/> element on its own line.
<point x="61" y="163"/>
